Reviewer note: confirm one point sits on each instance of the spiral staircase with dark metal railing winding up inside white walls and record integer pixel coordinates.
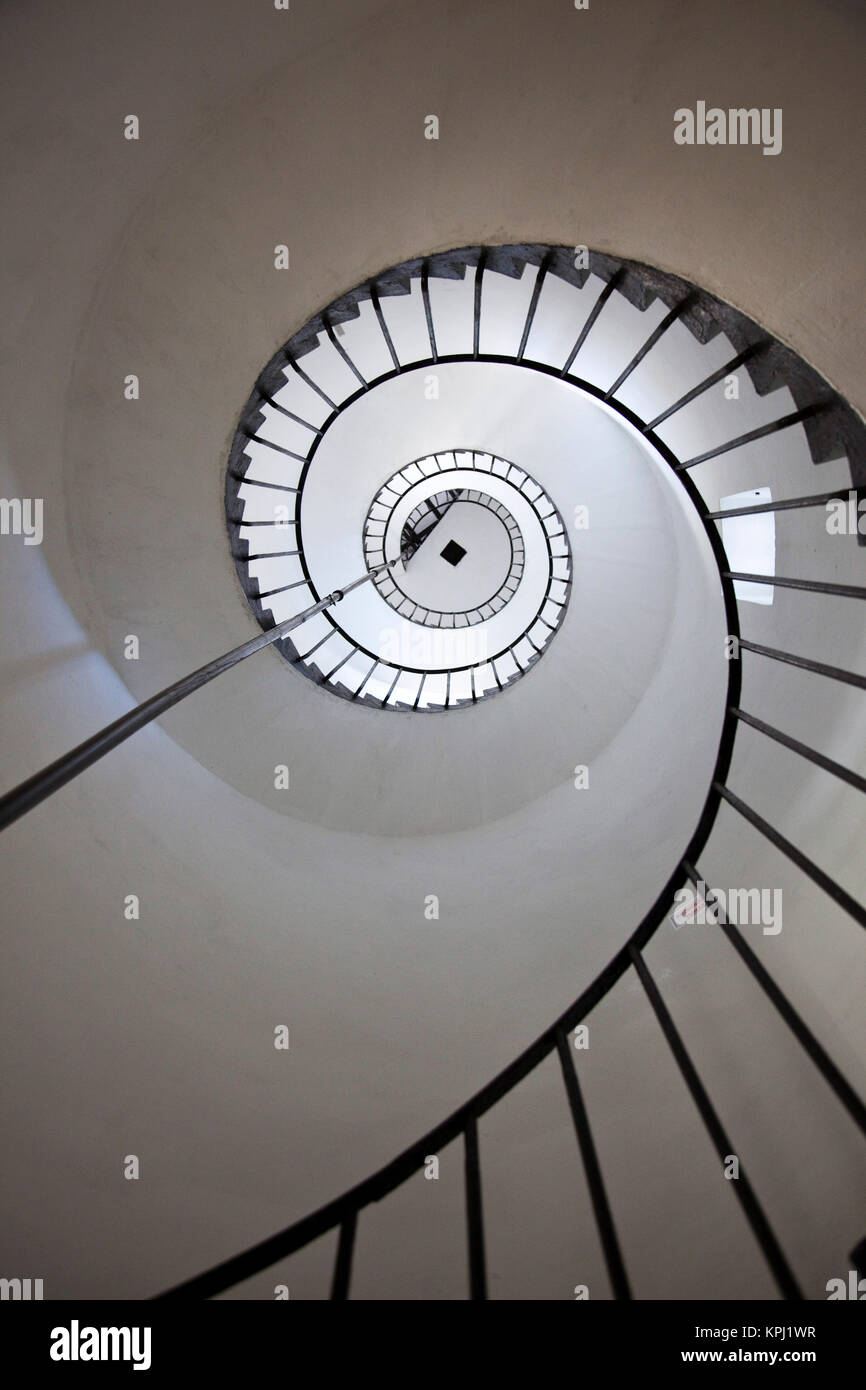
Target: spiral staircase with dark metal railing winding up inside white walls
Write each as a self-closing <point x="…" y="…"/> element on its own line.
<point x="664" y="355"/>
